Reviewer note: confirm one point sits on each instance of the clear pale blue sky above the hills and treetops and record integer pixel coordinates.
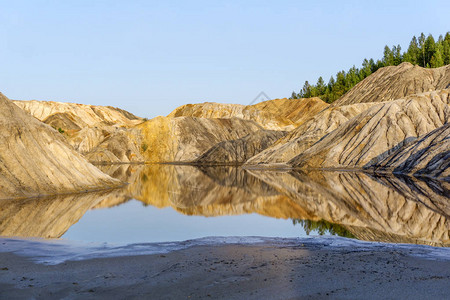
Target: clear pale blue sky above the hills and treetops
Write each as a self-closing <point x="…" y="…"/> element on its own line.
<point x="149" y="57"/>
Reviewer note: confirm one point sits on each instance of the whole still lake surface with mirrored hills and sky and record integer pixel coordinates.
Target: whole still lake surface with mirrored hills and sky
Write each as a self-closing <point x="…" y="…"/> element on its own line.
<point x="175" y="203"/>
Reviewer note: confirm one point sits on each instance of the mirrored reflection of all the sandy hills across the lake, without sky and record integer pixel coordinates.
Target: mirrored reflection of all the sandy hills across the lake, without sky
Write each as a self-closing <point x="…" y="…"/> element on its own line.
<point x="388" y="209"/>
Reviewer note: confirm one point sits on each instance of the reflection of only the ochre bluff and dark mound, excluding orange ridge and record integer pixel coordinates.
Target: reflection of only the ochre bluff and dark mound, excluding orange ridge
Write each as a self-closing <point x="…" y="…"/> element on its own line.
<point x="191" y="191"/>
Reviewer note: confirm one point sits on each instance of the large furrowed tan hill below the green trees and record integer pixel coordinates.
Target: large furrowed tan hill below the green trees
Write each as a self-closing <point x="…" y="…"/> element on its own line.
<point x="384" y="86"/>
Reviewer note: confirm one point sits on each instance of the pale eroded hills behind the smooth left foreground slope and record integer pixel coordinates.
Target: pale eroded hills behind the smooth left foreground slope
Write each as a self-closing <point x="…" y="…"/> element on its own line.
<point x="103" y="134"/>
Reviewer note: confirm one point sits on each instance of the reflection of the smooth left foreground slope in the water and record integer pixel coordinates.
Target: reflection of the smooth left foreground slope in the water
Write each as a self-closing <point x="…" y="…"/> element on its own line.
<point x="48" y="217"/>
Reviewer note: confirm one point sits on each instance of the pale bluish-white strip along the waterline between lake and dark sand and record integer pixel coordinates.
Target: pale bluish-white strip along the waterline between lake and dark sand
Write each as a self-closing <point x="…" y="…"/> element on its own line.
<point x="57" y="251"/>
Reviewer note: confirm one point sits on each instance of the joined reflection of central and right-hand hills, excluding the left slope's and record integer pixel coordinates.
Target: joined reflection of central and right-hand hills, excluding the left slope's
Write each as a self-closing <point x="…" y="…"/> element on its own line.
<point x="389" y="209"/>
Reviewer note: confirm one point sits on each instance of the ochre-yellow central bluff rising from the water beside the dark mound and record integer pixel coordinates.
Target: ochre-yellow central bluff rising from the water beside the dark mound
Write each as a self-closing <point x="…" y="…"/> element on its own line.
<point x="184" y="139"/>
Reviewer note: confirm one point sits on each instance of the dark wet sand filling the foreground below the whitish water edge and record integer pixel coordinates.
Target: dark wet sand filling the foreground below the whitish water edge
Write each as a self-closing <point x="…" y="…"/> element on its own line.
<point x="233" y="272"/>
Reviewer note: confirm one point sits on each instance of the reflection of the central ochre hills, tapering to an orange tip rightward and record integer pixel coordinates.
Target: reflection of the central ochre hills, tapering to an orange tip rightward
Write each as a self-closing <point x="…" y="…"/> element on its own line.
<point x="207" y="191"/>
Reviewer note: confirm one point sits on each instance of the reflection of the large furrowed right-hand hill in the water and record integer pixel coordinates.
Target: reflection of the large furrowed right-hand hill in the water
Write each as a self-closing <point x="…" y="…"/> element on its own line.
<point x="370" y="208"/>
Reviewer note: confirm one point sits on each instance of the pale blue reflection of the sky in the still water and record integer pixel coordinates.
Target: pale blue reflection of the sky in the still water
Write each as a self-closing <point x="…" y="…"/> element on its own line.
<point x="132" y="222"/>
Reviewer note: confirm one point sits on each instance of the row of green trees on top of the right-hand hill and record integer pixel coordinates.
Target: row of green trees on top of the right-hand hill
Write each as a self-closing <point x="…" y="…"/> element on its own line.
<point x="423" y="51"/>
